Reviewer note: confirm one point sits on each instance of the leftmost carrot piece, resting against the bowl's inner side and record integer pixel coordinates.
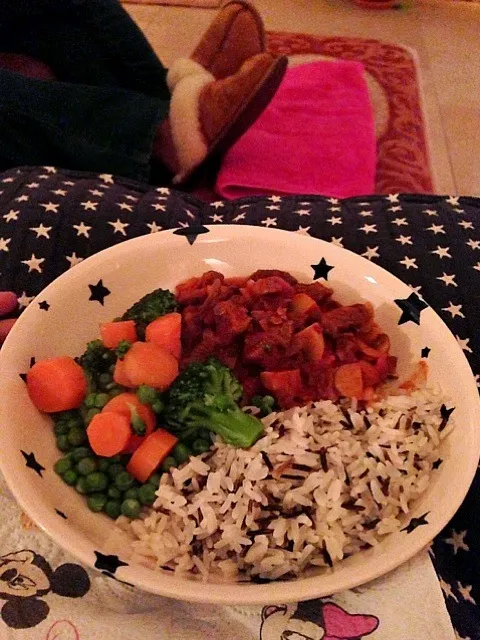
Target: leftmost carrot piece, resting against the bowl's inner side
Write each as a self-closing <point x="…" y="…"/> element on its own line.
<point x="57" y="384"/>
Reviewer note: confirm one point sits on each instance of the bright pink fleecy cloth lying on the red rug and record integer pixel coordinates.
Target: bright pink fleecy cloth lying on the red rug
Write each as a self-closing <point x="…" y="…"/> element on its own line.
<point x="316" y="137"/>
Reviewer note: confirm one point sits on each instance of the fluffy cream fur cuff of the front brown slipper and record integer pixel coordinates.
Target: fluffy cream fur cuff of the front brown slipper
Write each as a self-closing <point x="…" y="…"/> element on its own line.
<point x="189" y="141"/>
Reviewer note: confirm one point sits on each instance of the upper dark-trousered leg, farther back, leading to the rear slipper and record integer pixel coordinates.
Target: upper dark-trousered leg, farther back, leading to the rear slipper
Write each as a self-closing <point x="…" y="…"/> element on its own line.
<point x="92" y="42"/>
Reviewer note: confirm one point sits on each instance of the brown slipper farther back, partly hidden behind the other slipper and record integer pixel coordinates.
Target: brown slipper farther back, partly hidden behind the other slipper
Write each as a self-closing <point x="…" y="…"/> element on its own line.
<point x="235" y="35"/>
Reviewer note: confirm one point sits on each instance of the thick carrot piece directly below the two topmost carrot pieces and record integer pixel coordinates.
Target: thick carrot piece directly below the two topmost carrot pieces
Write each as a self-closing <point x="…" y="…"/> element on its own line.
<point x="147" y="363"/>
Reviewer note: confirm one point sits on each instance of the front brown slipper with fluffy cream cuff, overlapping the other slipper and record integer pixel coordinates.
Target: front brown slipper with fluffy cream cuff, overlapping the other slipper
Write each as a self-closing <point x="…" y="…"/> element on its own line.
<point x="207" y="117"/>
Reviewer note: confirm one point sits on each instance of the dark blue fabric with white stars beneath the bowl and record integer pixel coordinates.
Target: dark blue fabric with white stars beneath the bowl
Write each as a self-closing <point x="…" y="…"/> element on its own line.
<point x="50" y="220"/>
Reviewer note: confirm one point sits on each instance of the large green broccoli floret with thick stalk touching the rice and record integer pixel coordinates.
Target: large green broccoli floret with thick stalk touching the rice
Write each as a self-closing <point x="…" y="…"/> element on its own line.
<point x="205" y="396"/>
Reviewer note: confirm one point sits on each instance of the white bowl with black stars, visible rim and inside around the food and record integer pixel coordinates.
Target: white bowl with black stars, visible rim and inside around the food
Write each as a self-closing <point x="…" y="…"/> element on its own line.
<point x="133" y="268"/>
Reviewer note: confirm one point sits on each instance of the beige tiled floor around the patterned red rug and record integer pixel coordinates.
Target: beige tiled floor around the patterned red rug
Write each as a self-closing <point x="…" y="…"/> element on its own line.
<point x="445" y="36"/>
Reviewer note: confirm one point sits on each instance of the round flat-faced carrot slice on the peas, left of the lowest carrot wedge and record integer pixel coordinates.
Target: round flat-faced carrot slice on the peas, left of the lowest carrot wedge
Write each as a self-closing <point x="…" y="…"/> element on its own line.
<point x="108" y="433"/>
